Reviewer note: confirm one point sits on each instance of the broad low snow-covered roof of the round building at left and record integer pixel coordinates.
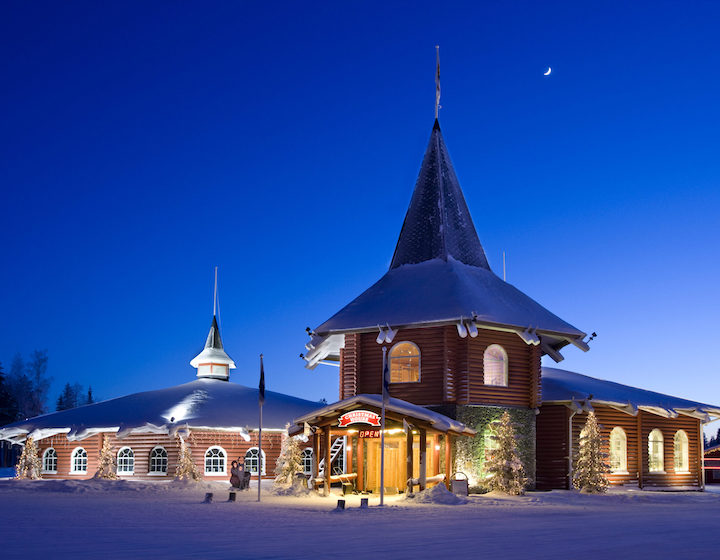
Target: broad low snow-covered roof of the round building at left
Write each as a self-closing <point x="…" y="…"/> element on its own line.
<point x="201" y="404"/>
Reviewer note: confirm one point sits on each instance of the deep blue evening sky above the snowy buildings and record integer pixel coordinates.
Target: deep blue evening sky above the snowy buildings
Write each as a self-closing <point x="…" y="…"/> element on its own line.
<point x="143" y="143"/>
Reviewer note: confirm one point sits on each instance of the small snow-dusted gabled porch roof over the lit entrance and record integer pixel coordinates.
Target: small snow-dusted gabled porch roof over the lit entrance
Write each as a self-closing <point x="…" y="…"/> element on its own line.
<point x="436" y="420"/>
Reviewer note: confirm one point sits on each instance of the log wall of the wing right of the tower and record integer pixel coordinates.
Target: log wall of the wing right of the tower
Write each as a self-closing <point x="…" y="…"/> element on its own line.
<point x="552" y="456"/>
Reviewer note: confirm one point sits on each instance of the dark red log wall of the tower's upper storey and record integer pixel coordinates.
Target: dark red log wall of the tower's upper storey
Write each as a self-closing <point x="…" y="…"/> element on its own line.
<point x="451" y="368"/>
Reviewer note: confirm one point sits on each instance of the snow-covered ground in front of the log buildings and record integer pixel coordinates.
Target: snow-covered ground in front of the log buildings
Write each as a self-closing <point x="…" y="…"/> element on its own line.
<point x="125" y="519"/>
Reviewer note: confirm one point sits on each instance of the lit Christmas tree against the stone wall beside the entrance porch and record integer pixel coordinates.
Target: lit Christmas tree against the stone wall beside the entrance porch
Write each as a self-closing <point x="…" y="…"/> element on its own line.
<point x="504" y="467"/>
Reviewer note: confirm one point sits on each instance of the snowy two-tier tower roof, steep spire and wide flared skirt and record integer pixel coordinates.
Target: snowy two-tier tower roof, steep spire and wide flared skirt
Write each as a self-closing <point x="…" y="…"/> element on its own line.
<point x="439" y="275"/>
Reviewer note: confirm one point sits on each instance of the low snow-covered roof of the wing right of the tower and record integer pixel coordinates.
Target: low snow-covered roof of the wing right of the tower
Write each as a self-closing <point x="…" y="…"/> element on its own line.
<point x="582" y="391"/>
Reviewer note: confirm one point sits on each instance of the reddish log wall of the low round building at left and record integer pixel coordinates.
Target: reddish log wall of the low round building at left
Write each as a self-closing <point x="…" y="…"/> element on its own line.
<point x="142" y="444"/>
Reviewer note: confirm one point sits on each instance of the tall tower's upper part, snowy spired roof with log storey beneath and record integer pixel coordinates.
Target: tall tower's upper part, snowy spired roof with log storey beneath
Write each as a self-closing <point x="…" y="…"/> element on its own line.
<point x="456" y="333"/>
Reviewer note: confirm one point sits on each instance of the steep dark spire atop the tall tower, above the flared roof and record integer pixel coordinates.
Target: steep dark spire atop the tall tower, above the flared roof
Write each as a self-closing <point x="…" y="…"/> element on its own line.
<point x="438" y="223"/>
